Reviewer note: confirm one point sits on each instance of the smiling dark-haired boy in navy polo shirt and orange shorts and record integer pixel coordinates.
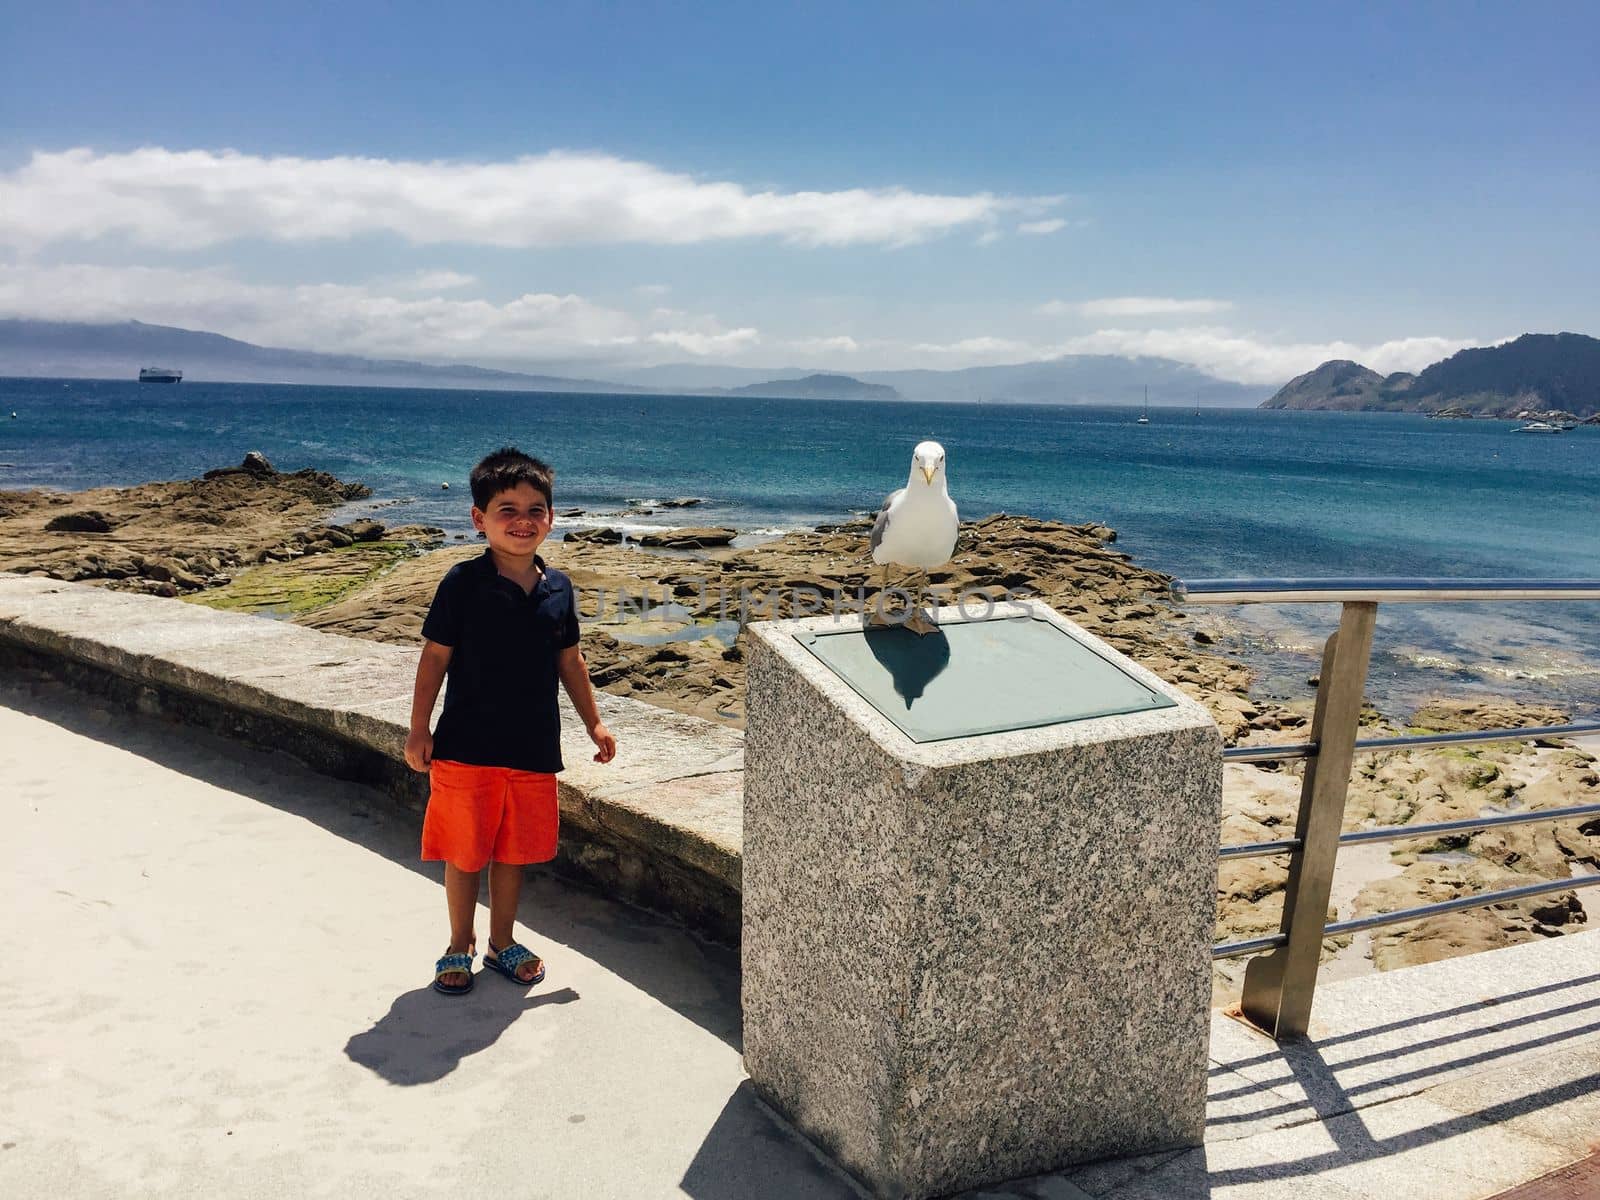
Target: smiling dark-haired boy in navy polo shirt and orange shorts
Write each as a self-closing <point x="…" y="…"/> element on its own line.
<point x="505" y="628"/>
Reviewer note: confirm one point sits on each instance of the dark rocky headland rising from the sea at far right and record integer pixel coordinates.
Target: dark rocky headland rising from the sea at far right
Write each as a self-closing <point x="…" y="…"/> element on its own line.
<point x="1537" y="374"/>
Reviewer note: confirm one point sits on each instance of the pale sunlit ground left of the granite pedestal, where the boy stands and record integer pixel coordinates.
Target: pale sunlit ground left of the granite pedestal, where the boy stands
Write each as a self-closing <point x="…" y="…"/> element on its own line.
<point x="218" y="986"/>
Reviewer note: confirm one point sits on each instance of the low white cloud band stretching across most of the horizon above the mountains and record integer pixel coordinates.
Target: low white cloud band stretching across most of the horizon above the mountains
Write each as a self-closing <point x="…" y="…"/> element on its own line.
<point x="393" y="321"/>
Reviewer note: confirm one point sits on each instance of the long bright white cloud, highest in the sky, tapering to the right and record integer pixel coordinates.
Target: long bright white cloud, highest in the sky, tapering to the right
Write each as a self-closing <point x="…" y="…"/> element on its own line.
<point x="194" y="199"/>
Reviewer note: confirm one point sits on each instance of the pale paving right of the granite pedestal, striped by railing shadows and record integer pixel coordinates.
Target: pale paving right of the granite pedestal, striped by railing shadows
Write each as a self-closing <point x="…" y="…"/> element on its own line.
<point x="1446" y="1082"/>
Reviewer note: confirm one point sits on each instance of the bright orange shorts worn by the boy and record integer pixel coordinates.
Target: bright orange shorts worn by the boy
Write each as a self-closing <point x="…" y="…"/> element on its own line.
<point x="482" y="814"/>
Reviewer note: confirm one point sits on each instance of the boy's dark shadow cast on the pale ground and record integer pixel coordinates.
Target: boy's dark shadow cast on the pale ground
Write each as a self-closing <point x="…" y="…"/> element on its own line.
<point x="425" y="1036"/>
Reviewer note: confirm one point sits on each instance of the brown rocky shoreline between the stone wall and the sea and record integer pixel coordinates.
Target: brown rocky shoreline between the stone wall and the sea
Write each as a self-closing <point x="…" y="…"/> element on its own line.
<point x="663" y="625"/>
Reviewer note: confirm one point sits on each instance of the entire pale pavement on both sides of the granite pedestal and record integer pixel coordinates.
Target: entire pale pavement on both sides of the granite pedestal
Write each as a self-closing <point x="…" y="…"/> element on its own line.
<point x="218" y="975"/>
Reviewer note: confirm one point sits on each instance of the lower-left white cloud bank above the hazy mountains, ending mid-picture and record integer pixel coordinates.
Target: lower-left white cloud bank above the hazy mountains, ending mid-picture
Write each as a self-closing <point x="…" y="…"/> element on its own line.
<point x="356" y="319"/>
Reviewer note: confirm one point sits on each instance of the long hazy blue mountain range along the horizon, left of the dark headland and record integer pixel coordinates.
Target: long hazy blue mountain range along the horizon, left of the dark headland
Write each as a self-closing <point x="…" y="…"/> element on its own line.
<point x="119" y="351"/>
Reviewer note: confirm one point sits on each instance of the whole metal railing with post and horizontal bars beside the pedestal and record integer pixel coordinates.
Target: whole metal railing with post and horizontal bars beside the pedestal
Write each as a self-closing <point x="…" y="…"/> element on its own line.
<point x="1281" y="985"/>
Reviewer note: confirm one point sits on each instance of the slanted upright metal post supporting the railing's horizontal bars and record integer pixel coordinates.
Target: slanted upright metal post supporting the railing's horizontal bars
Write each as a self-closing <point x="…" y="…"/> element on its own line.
<point x="1279" y="986"/>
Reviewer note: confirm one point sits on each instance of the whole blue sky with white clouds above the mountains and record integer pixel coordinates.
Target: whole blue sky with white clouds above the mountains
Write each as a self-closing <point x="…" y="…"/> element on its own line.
<point x="1249" y="190"/>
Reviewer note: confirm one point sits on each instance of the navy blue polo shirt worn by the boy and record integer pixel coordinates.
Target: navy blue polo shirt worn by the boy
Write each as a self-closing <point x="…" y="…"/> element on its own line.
<point x="500" y="700"/>
